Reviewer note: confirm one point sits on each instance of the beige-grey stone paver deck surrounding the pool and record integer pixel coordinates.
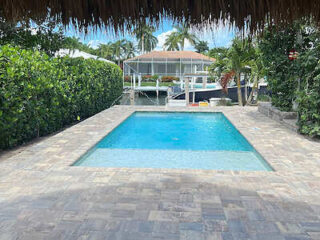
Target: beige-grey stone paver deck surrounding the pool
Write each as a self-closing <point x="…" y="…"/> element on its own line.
<point x="43" y="197"/>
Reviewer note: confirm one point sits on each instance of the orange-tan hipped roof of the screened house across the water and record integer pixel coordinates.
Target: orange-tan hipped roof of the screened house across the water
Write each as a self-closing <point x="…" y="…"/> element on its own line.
<point x="173" y="55"/>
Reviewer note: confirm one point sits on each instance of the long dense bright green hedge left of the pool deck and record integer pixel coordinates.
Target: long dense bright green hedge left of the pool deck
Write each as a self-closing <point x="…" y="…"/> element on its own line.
<point x="40" y="95"/>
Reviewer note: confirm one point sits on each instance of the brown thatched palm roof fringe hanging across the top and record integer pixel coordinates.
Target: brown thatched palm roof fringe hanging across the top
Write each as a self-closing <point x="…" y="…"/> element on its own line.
<point x="125" y="13"/>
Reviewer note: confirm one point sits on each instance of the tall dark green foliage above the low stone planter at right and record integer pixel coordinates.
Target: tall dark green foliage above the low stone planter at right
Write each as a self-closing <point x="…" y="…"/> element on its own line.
<point x="294" y="82"/>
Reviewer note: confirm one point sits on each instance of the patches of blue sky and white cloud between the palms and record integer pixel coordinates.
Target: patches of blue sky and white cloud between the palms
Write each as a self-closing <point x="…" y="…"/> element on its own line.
<point x="219" y="36"/>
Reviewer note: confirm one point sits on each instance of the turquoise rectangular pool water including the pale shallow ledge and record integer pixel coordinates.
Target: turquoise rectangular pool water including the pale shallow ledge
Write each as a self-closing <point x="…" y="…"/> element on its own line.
<point x="175" y="140"/>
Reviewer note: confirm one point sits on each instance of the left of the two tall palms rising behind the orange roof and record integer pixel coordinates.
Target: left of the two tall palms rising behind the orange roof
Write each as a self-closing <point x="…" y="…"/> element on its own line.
<point x="146" y="40"/>
